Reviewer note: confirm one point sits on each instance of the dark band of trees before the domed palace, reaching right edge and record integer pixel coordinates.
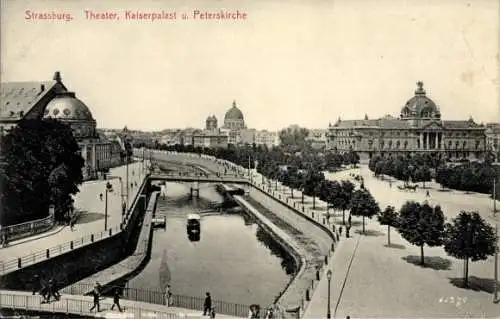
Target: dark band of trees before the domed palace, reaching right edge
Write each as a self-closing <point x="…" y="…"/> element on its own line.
<point x="465" y="176"/>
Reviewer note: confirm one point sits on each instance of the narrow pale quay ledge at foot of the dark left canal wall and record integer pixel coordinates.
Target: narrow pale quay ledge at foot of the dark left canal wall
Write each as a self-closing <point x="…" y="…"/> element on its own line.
<point x="127" y="267"/>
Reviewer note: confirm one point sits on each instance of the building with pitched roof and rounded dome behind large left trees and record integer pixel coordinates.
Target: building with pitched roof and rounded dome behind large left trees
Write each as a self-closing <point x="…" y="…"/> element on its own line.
<point x="51" y="99"/>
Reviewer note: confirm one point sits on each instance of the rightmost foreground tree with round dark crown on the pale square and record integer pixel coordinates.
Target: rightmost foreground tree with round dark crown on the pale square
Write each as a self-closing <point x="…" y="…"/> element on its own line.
<point x="469" y="237"/>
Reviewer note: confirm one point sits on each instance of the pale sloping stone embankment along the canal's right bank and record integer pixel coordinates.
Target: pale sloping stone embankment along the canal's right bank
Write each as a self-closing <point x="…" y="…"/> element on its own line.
<point x="312" y="231"/>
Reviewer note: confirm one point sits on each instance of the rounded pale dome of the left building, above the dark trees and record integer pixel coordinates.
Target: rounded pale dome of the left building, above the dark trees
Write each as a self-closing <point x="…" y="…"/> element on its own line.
<point x="65" y="106"/>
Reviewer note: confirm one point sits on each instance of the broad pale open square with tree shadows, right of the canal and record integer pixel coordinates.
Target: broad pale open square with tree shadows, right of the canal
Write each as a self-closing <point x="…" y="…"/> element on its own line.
<point x="381" y="283"/>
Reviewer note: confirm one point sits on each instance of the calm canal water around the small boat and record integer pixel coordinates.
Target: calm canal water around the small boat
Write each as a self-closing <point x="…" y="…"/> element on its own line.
<point x="235" y="259"/>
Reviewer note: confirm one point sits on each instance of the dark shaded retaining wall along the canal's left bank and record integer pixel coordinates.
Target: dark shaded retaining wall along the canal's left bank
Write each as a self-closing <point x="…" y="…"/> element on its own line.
<point x="83" y="261"/>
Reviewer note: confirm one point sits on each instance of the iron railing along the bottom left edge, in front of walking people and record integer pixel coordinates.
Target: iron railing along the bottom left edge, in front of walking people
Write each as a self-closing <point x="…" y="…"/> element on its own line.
<point x="69" y="305"/>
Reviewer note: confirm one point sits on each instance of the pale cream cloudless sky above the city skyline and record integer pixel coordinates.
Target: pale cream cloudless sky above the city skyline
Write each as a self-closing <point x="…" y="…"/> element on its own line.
<point x="289" y="62"/>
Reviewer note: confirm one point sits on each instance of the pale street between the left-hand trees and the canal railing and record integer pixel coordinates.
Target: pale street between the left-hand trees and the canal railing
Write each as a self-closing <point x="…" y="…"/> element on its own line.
<point x="92" y="219"/>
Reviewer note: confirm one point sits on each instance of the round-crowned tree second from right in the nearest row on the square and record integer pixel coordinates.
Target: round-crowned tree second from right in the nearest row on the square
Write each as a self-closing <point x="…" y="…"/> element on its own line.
<point x="420" y="225"/>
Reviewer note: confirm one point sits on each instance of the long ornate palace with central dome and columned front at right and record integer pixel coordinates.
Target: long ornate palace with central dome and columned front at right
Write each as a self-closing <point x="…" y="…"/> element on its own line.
<point x="418" y="129"/>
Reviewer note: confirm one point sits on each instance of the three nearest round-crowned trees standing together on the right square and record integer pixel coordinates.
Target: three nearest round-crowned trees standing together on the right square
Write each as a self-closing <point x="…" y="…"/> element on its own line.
<point x="467" y="237"/>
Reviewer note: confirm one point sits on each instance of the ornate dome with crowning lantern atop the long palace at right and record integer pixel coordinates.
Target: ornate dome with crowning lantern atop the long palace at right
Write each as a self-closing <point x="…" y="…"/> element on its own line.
<point x="420" y="106"/>
